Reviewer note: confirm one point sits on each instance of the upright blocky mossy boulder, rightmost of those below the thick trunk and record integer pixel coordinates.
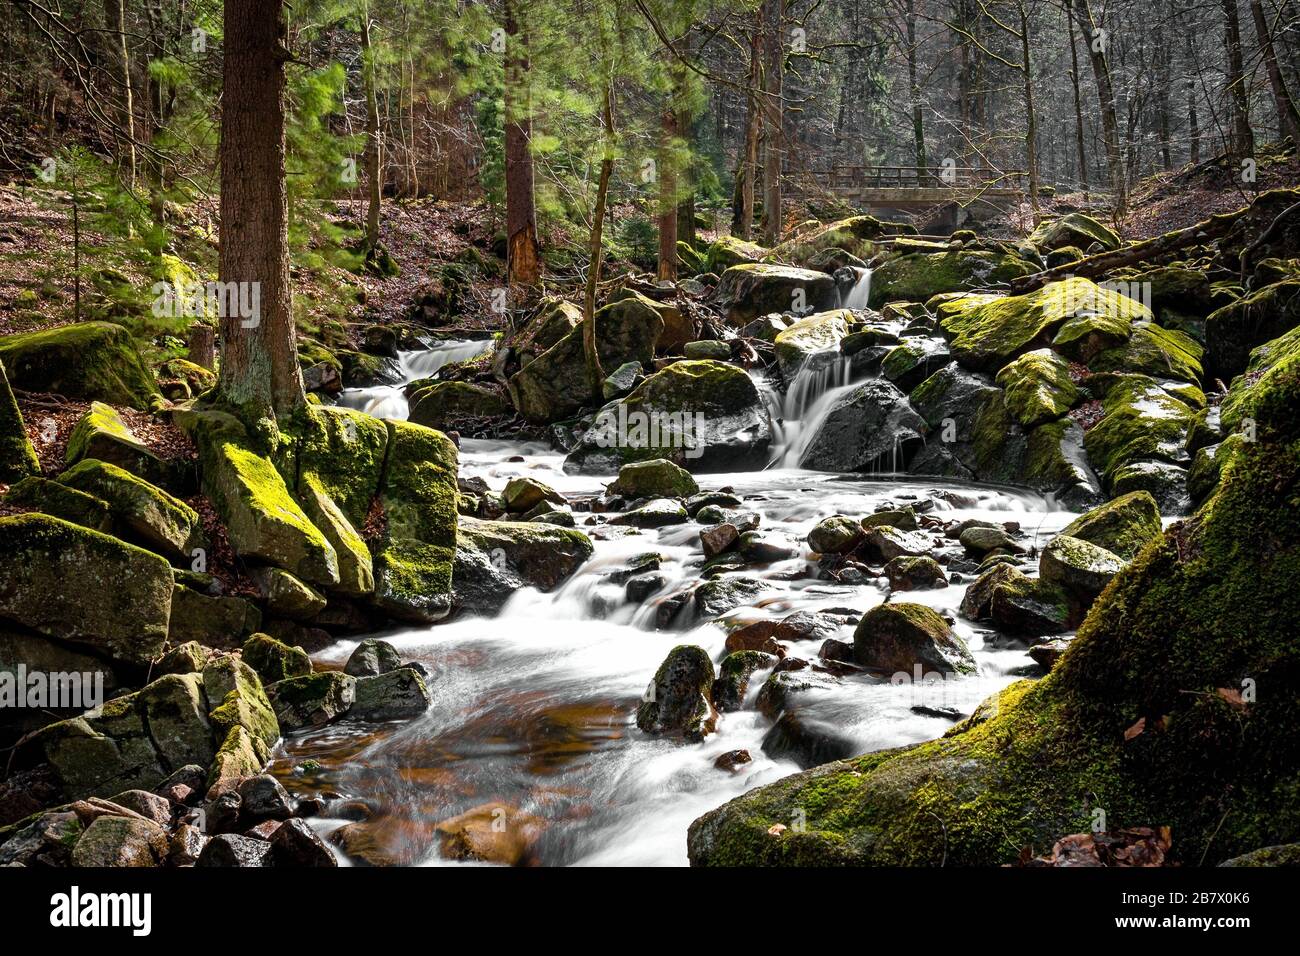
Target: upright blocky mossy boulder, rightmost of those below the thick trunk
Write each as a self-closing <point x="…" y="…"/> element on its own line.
<point x="414" y="559"/>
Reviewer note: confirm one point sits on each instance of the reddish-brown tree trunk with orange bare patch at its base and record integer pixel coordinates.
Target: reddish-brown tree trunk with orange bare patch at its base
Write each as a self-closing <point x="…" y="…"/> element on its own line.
<point x="523" y="257"/>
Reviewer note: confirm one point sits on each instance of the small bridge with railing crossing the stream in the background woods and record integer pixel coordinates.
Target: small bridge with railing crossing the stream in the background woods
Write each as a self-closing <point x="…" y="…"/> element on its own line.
<point x="912" y="188"/>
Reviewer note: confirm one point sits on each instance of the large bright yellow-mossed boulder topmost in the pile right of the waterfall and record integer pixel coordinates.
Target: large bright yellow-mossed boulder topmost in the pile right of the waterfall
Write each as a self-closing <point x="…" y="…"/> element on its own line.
<point x="986" y="334"/>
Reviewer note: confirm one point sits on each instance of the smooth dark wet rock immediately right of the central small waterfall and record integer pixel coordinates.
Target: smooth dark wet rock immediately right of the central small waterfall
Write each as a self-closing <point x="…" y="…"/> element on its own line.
<point x="872" y="429"/>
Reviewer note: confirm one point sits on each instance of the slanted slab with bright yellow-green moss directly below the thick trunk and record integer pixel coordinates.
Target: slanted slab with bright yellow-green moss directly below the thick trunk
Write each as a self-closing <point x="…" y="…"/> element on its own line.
<point x="265" y="521"/>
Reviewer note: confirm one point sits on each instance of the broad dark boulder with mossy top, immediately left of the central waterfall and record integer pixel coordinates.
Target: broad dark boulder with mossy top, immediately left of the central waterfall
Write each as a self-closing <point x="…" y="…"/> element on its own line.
<point x="703" y="416"/>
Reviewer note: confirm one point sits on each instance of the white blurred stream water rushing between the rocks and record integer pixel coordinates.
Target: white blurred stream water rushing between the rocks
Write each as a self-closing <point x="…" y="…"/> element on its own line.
<point x="535" y="708"/>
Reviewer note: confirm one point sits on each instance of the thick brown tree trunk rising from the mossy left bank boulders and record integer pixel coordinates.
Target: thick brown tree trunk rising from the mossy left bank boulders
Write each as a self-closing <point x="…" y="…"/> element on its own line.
<point x="259" y="361"/>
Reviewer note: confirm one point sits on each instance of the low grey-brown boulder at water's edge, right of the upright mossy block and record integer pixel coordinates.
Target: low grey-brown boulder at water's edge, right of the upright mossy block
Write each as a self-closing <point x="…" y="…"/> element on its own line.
<point x="497" y="559"/>
